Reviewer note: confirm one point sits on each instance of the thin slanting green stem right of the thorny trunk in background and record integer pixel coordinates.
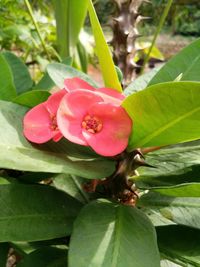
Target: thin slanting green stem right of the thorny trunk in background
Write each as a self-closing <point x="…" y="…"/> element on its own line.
<point x="158" y="29"/>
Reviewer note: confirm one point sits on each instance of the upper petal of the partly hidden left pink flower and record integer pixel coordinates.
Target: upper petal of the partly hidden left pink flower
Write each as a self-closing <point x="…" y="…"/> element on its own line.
<point x="53" y="101"/>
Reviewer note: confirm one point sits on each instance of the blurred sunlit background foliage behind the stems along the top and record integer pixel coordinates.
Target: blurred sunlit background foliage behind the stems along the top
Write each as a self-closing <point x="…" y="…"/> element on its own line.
<point x="18" y="34"/>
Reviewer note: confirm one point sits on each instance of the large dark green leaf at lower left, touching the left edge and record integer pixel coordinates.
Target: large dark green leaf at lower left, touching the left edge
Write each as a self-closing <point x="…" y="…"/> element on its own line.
<point x="35" y="212"/>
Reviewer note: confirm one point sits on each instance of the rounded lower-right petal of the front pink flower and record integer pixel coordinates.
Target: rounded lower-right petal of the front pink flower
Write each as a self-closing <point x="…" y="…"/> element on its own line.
<point x="117" y="125"/>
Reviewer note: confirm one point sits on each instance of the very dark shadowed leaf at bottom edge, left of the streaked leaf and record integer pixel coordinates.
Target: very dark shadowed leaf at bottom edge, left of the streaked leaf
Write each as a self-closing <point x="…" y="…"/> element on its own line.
<point x="47" y="256"/>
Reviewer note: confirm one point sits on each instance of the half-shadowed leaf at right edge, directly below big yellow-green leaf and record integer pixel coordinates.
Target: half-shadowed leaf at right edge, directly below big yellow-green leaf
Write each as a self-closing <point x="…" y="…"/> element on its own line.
<point x="173" y="166"/>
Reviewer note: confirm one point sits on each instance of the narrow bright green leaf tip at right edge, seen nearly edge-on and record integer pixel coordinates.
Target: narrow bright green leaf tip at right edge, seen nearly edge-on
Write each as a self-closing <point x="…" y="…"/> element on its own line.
<point x="184" y="190"/>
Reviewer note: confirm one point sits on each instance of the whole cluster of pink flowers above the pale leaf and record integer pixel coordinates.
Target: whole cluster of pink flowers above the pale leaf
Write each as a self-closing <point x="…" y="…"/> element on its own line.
<point x="83" y="115"/>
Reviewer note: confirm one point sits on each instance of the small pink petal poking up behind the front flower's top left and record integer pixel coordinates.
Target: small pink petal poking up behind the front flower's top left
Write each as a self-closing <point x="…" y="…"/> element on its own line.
<point x="77" y="83"/>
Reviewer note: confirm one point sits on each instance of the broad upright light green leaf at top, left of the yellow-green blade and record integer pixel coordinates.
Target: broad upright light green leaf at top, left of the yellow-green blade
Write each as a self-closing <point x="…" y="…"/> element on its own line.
<point x="70" y="16"/>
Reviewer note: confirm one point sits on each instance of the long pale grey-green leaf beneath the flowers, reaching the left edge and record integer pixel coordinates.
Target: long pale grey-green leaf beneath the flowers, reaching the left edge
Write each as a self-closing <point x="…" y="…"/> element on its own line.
<point x="18" y="153"/>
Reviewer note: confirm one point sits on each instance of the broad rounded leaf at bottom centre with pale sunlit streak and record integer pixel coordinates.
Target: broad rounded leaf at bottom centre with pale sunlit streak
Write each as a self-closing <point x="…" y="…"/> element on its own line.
<point x="115" y="235"/>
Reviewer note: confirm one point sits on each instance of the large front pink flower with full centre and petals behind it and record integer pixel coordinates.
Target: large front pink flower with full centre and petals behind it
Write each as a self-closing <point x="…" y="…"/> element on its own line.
<point x="94" y="117"/>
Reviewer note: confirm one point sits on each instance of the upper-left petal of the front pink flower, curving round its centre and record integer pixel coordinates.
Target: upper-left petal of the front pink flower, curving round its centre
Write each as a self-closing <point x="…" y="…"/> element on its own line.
<point x="71" y="112"/>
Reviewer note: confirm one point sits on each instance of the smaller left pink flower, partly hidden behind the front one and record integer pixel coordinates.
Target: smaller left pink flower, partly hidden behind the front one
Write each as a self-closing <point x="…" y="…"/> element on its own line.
<point x="40" y="123"/>
